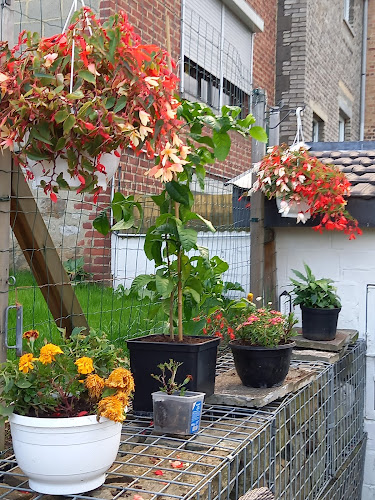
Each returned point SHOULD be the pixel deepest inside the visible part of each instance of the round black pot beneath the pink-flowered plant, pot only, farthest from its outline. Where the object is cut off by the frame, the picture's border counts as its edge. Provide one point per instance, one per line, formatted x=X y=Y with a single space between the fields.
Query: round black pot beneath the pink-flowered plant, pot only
x=261 y=367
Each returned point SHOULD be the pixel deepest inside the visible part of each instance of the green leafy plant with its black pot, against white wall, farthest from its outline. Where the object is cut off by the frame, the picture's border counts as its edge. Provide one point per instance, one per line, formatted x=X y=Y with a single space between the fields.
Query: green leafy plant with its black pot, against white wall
x=320 y=305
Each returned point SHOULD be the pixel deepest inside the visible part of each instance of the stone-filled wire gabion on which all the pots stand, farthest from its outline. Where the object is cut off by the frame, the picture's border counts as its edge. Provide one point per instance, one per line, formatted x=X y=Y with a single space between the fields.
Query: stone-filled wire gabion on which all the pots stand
x=293 y=446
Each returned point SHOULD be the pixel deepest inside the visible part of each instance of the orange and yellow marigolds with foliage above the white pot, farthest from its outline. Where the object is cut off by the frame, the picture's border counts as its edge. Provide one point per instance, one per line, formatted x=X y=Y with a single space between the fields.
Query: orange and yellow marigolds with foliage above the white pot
x=81 y=375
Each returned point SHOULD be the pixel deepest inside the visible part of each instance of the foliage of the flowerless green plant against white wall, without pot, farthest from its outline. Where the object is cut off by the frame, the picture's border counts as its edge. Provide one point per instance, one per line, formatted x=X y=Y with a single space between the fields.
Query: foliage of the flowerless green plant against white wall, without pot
x=312 y=292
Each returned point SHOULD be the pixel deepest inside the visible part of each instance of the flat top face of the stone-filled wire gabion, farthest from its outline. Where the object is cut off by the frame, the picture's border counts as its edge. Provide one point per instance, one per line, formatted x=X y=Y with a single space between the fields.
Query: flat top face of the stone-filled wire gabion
x=144 y=454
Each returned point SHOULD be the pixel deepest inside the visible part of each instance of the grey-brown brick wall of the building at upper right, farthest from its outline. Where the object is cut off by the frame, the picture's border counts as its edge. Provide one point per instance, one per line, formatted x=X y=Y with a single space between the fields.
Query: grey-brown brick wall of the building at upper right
x=319 y=65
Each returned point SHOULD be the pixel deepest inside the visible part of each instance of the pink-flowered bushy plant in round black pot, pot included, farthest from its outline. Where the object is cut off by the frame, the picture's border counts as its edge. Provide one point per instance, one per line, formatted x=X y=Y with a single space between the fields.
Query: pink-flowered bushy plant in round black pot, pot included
x=261 y=340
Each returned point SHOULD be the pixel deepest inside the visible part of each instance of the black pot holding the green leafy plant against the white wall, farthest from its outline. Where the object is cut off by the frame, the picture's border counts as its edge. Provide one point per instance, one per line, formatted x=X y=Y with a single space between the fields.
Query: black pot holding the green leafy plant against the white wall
x=319 y=324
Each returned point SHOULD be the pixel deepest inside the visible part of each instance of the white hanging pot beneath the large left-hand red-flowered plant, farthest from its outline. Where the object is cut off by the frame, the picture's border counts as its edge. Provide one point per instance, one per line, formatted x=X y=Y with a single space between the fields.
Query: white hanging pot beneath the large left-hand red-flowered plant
x=41 y=168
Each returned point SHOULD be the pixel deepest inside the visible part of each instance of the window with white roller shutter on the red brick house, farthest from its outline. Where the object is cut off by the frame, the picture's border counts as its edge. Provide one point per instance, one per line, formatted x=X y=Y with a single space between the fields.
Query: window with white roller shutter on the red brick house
x=217 y=55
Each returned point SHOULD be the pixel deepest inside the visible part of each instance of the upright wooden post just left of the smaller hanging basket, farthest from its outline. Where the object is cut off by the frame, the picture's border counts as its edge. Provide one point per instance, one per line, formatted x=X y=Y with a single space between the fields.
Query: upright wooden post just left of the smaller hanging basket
x=258 y=150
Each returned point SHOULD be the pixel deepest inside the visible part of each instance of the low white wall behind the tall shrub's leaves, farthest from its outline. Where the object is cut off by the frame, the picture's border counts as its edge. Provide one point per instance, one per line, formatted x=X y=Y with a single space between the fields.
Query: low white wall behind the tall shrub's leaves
x=129 y=260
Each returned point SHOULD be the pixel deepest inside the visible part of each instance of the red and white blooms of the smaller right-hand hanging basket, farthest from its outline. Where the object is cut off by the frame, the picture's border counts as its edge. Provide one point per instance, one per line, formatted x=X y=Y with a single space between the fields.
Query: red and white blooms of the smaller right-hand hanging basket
x=294 y=176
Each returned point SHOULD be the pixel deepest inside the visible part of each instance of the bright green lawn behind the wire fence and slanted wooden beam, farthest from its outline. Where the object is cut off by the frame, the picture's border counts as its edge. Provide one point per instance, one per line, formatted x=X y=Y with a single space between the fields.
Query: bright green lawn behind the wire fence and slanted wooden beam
x=120 y=316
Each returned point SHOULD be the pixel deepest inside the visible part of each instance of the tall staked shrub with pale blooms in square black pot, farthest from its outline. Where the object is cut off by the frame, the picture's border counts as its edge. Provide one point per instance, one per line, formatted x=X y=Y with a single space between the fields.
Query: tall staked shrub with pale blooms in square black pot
x=177 y=280
